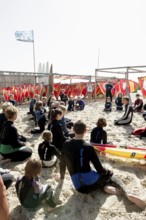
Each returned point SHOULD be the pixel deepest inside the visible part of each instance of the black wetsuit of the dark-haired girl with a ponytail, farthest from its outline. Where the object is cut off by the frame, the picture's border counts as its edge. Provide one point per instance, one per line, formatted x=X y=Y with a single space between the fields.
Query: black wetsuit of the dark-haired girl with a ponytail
x=58 y=137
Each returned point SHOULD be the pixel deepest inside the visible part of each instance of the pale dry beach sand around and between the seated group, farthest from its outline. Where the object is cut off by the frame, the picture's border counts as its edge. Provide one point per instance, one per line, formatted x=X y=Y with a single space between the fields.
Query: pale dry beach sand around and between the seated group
x=99 y=205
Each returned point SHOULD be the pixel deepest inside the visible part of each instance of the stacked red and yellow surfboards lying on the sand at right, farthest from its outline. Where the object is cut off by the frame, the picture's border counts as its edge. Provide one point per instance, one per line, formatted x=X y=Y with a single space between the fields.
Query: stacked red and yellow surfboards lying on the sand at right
x=127 y=152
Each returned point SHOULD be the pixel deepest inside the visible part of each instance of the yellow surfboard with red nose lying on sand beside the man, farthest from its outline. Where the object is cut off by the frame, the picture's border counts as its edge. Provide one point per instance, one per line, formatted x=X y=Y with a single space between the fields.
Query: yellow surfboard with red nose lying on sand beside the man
x=127 y=153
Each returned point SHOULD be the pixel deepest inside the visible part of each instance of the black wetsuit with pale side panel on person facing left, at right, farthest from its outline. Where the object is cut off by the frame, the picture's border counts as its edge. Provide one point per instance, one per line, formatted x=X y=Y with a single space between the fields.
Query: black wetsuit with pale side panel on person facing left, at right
x=127 y=117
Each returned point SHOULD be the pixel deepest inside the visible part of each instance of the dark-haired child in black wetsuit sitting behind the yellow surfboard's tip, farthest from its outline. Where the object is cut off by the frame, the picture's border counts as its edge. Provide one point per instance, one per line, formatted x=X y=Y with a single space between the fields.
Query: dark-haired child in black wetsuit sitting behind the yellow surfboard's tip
x=98 y=135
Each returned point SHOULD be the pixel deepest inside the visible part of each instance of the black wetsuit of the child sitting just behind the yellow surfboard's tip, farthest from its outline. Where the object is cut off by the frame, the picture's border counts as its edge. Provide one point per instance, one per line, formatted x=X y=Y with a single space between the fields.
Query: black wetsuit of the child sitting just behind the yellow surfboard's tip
x=99 y=136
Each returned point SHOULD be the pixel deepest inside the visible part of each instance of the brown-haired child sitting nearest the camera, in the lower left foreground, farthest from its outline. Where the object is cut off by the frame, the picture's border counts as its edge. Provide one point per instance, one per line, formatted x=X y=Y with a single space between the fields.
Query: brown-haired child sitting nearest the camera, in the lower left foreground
x=29 y=189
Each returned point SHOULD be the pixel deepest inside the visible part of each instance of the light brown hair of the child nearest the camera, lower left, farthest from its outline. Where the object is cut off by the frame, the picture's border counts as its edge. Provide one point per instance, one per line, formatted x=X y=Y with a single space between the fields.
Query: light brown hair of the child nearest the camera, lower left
x=33 y=168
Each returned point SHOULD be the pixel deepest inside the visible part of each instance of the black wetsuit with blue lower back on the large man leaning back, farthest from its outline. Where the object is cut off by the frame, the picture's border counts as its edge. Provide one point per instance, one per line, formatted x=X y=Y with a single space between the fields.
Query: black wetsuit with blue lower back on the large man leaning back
x=77 y=155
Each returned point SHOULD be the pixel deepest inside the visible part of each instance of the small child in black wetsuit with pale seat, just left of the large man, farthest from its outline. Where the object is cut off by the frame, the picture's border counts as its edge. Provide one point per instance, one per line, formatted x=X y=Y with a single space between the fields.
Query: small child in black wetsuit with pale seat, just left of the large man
x=47 y=152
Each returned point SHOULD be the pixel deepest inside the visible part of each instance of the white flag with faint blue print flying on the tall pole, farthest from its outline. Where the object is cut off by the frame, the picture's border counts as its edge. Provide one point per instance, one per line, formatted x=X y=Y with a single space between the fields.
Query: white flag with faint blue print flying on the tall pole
x=26 y=36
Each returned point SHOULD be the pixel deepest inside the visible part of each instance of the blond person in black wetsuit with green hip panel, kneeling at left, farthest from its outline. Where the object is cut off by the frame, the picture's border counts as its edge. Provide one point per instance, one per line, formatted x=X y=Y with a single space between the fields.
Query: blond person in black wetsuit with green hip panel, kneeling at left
x=12 y=147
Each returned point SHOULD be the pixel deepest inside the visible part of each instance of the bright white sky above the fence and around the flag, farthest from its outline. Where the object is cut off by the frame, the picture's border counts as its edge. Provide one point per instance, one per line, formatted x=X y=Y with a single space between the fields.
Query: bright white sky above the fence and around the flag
x=69 y=33
